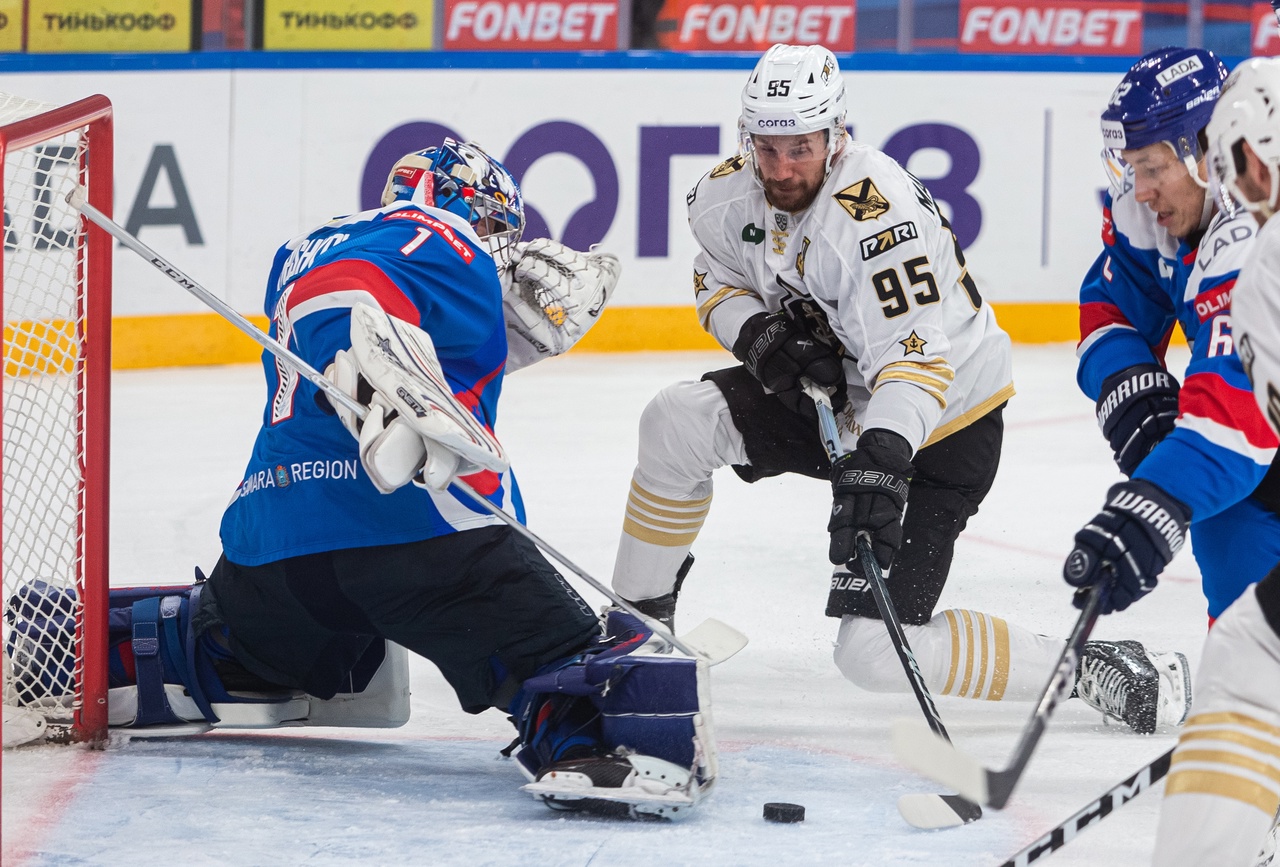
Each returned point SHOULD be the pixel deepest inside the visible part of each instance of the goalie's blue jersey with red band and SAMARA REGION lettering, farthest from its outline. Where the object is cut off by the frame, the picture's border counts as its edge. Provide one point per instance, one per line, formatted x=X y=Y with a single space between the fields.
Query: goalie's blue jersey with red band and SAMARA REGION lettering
x=305 y=490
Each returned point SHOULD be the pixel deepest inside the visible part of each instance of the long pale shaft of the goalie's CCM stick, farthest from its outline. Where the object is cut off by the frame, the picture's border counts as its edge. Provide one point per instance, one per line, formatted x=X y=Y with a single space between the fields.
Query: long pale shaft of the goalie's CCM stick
x=349 y=403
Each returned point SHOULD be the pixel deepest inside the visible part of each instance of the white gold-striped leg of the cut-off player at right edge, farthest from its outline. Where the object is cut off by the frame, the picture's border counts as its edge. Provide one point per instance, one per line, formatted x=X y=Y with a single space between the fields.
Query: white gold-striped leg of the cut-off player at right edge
x=1224 y=782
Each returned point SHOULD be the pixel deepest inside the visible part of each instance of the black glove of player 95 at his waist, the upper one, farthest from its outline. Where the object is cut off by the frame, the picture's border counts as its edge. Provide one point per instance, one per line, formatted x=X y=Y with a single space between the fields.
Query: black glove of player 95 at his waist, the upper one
x=779 y=353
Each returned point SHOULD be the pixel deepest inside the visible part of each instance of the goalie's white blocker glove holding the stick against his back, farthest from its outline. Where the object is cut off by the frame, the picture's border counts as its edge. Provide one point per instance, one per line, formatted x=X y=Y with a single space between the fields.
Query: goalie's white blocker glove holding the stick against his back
x=414 y=426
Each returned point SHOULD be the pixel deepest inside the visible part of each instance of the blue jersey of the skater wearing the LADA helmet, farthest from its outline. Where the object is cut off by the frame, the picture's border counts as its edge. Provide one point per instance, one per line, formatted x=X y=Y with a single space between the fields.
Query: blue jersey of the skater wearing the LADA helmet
x=1145 y=282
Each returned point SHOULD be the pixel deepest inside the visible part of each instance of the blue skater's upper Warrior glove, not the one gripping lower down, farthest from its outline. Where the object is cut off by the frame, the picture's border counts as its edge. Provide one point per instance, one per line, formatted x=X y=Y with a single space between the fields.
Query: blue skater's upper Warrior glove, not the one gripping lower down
x=1136 y=410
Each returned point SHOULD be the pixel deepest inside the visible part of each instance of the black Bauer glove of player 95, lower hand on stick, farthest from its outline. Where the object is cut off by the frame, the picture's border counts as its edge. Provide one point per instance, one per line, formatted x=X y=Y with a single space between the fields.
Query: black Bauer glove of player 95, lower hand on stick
x=868 y=490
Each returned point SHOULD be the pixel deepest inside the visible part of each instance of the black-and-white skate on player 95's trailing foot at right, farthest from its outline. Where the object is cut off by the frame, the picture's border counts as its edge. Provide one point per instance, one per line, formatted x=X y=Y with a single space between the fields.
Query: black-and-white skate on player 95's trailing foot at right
x=1141 y=688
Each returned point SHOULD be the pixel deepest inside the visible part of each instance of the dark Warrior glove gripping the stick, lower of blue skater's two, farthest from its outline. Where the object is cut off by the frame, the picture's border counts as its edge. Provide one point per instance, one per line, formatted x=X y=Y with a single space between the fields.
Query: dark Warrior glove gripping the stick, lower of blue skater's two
x=1128 y=544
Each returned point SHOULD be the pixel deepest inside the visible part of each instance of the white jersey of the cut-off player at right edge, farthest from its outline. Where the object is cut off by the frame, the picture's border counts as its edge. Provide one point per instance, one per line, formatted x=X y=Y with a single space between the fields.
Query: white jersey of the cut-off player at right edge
x=1256 y=321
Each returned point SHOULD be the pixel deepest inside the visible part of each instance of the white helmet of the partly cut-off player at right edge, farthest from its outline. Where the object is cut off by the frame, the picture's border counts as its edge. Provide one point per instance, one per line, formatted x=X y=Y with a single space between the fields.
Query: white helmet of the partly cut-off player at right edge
x=1249 y=111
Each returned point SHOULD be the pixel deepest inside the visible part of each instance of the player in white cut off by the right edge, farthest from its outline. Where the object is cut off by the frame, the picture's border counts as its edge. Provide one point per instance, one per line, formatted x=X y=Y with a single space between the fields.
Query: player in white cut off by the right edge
x=1224 y=783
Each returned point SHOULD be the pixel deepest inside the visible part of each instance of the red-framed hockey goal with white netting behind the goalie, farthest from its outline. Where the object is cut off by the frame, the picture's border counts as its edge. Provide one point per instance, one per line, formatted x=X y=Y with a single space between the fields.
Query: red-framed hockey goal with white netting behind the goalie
x=57 y=281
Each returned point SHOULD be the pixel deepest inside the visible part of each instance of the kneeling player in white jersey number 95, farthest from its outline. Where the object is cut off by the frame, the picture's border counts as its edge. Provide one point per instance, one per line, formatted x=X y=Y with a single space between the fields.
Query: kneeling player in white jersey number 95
x=824 y=259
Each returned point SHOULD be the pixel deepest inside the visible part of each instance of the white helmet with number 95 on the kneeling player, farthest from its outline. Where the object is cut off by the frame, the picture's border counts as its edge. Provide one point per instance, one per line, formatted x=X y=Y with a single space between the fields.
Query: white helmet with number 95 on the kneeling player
x=794 y=90
